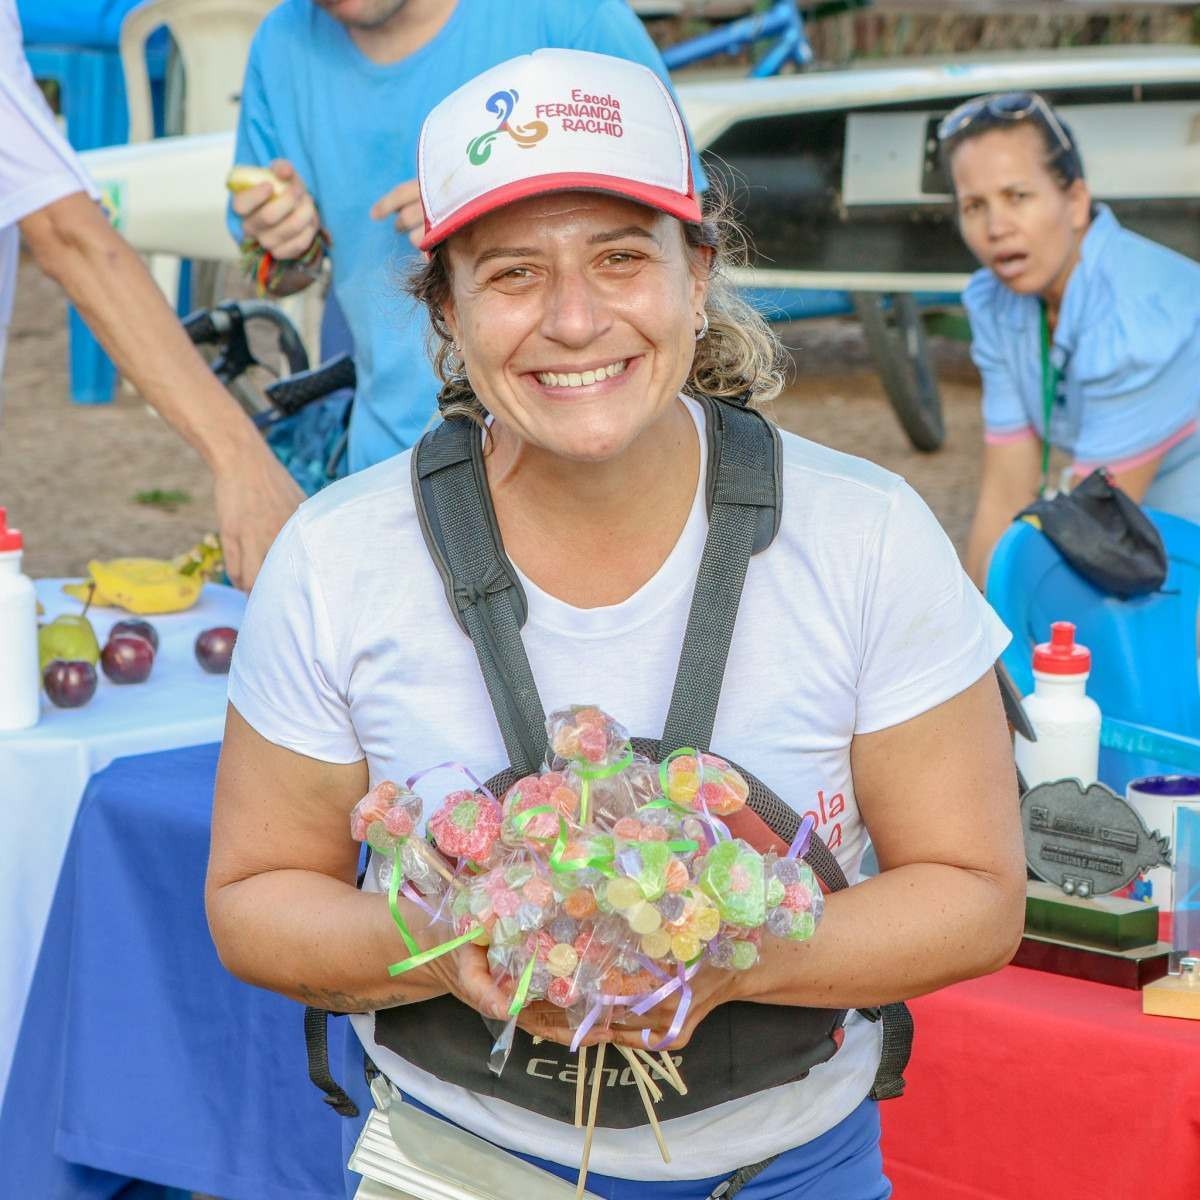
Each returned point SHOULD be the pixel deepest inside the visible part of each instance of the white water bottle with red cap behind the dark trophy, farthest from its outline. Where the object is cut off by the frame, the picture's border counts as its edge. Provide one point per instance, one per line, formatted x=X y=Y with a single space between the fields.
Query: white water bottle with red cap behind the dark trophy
x=1066 y=721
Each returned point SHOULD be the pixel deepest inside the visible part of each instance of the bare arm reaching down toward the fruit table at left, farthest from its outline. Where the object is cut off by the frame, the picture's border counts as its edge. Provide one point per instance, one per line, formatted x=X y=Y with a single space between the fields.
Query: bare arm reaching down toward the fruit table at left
x=105 y=279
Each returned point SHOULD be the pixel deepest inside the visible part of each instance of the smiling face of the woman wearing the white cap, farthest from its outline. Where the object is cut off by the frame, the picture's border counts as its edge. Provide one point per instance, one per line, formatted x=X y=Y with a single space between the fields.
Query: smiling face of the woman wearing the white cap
x=578 y=316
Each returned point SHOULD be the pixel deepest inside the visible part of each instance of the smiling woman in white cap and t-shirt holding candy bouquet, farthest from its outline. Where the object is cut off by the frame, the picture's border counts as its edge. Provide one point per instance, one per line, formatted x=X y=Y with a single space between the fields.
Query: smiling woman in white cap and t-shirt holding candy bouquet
x=595 y=364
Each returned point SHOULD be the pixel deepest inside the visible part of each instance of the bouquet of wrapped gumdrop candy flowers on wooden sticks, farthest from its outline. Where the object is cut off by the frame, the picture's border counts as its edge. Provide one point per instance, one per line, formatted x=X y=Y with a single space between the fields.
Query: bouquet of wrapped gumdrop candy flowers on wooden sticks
x=601 y=885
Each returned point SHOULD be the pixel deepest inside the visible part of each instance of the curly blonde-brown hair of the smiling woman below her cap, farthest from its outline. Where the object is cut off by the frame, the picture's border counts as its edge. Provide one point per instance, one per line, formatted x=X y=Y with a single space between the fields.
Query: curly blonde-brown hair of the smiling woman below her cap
x=740 y=358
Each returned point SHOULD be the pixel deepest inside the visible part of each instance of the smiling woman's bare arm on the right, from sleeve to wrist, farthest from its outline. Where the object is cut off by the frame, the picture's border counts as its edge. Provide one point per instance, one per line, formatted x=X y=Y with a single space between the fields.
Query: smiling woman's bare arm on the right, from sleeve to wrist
x=939 y=796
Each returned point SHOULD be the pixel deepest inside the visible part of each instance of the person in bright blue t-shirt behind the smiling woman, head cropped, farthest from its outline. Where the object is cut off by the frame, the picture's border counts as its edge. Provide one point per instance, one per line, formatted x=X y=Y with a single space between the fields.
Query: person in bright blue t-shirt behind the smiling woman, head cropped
x=334 y=100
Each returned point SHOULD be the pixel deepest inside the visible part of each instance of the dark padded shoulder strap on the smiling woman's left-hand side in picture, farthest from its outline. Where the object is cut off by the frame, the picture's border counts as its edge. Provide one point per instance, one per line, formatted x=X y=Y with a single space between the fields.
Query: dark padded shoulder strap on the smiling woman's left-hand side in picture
x=459 y=523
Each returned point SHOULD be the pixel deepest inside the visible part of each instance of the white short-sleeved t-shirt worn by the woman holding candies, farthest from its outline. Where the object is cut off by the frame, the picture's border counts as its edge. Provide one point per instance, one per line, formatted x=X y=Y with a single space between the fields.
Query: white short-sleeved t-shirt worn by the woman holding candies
x=857 y=617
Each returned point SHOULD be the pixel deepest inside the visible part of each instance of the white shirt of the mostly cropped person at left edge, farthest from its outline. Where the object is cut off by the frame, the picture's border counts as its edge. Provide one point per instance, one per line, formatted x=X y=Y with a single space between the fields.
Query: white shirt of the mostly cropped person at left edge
x=38 y=166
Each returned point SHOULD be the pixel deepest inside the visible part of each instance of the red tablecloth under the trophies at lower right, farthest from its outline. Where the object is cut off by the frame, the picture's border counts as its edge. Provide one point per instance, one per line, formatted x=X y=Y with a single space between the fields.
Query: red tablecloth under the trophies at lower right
x=1033 y=1087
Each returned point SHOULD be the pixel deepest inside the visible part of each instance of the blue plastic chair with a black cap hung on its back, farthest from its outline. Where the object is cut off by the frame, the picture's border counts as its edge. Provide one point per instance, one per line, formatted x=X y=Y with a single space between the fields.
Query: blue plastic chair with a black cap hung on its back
x=1144 y=651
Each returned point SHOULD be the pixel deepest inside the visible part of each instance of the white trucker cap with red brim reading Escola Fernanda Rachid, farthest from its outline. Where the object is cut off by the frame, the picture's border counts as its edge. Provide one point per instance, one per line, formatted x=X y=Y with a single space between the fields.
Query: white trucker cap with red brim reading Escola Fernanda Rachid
x=554 y=122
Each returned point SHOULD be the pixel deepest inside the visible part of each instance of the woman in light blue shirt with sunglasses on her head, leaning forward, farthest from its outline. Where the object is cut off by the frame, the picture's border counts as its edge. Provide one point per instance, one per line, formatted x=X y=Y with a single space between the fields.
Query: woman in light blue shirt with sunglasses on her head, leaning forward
x=1085 y=334
